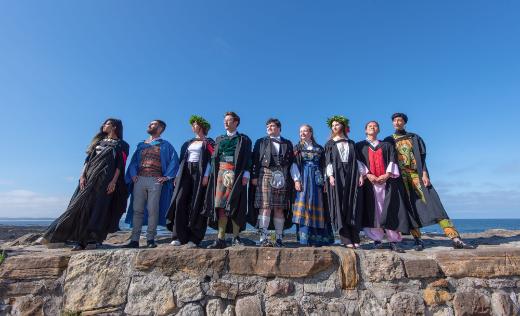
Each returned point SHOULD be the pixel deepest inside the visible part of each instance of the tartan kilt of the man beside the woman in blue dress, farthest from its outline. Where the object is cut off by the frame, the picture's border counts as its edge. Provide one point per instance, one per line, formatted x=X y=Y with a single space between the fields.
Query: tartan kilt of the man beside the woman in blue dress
x=267 y=197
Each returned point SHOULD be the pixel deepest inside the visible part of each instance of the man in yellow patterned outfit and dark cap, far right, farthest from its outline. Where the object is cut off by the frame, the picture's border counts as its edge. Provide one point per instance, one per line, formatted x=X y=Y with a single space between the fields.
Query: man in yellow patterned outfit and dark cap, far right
x=425 y=204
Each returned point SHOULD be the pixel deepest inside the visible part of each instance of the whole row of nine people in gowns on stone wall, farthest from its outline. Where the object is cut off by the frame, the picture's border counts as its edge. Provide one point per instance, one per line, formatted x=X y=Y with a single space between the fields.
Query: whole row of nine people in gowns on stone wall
x=381 y=187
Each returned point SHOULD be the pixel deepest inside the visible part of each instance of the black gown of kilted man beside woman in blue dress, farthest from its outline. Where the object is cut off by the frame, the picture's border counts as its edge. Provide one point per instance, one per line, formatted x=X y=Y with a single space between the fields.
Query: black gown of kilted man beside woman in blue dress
x=262 y=157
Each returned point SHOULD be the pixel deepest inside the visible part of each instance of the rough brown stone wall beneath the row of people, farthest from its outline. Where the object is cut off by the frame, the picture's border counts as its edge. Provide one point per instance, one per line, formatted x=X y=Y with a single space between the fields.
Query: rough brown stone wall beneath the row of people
x=257 y=281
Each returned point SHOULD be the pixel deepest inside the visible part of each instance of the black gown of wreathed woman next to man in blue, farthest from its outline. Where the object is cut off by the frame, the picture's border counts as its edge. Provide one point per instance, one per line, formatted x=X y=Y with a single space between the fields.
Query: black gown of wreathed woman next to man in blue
x=186 y=207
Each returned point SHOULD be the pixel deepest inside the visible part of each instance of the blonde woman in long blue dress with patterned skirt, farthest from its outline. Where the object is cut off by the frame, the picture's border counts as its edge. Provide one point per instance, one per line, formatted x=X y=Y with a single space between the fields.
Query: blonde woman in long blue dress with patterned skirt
x=310 y=214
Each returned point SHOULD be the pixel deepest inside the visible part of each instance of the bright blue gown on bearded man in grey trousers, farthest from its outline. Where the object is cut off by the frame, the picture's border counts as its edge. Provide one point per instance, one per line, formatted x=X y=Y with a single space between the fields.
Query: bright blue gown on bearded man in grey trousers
x=169 y=166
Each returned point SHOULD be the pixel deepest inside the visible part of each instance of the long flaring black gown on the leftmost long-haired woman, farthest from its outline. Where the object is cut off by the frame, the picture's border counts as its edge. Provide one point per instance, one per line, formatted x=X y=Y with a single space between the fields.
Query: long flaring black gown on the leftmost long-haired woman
x=92 y=213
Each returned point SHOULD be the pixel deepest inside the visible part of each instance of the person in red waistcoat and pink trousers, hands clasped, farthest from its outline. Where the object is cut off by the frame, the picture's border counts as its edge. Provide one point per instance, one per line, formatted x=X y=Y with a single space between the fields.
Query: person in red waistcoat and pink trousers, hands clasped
x=385 y=209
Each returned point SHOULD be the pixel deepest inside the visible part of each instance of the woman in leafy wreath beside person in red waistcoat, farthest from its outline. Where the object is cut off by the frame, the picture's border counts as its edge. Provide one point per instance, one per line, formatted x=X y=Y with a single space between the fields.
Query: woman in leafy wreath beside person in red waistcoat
x=343 y=193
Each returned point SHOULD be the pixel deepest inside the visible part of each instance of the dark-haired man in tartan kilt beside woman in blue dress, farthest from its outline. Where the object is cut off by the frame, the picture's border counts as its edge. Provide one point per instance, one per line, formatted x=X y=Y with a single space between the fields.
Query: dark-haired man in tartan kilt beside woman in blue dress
x=272 y=184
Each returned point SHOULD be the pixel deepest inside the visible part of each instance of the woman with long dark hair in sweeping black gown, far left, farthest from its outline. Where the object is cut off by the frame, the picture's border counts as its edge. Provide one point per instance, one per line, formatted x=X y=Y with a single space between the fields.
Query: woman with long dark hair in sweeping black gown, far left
x=100 y=198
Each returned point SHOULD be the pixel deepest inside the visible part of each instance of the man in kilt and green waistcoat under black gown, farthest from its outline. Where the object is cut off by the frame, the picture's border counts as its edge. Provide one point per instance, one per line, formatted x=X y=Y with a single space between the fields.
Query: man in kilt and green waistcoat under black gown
x=226 y=196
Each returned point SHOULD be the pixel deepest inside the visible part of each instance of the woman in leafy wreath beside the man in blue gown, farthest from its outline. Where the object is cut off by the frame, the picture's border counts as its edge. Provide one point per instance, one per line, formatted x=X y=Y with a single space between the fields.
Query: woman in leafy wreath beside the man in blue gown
x=184 y=216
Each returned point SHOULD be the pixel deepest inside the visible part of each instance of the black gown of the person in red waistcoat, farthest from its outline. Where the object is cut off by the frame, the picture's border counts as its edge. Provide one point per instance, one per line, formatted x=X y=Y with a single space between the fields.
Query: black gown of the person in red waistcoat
x=395 y=215
